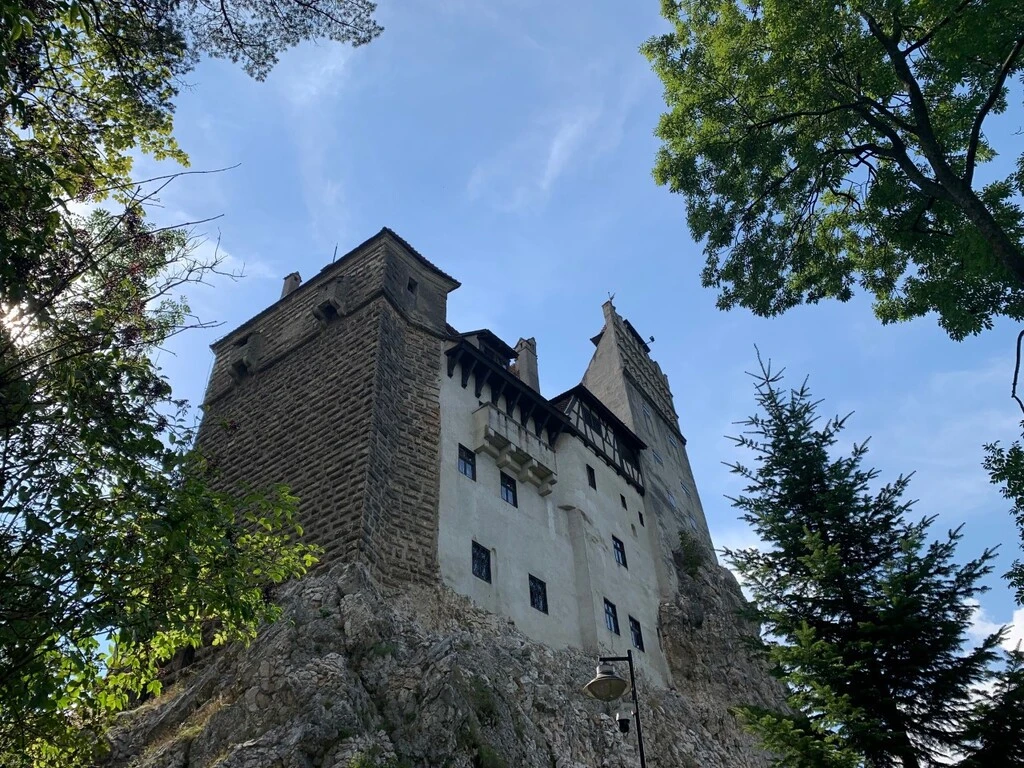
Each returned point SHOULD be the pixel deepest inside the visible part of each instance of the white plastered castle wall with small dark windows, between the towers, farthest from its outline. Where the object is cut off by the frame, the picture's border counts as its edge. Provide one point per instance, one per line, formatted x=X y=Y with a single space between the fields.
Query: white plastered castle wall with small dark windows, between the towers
x=564 y=539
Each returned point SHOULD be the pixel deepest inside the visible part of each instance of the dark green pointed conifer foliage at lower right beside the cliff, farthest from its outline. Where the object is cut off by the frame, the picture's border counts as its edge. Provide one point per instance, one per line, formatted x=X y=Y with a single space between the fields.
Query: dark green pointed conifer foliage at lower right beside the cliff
x=866 y=617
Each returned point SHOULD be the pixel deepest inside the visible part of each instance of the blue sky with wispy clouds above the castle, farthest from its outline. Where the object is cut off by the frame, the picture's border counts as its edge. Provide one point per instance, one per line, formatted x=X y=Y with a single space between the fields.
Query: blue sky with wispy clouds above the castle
x=511 y=143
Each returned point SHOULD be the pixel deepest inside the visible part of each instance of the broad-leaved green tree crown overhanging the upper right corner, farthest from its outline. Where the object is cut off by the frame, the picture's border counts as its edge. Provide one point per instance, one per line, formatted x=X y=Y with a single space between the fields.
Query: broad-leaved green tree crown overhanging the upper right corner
x=828 y=147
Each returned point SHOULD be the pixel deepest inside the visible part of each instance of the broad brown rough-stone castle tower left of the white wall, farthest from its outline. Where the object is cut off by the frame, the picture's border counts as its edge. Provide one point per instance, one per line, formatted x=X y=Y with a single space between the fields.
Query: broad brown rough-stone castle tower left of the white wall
x=334 y=391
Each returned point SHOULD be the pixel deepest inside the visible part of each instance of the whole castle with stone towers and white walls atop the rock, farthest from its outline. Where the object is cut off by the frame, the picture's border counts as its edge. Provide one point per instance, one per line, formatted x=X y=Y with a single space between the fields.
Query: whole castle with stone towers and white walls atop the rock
x=431 y=454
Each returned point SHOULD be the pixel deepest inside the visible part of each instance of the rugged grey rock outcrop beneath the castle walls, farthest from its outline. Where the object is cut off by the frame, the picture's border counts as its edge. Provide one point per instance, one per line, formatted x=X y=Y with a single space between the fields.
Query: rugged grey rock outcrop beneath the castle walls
x=352 y=677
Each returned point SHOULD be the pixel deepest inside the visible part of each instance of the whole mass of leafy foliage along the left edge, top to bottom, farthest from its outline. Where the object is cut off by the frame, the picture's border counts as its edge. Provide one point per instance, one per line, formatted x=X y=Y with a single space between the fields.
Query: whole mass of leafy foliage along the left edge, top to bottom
x=115 y=550
